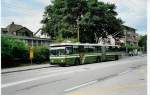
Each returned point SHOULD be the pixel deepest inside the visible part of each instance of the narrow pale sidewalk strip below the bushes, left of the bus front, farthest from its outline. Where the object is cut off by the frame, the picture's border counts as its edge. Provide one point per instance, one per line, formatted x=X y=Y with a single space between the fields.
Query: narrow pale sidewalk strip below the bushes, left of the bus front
x=24 y=68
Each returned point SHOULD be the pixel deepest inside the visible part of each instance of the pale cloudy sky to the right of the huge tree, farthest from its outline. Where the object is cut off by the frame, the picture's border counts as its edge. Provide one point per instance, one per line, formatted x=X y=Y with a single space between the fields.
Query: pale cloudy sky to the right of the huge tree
x=132 y=12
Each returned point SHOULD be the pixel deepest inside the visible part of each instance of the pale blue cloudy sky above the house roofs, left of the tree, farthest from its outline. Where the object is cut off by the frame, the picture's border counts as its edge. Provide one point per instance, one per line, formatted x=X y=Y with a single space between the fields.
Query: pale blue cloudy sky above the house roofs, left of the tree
x=25 y=15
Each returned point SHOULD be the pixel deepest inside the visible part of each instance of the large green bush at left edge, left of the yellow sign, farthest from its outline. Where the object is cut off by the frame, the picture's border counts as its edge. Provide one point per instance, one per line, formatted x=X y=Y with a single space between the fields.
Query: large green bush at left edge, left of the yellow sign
x=12 y=51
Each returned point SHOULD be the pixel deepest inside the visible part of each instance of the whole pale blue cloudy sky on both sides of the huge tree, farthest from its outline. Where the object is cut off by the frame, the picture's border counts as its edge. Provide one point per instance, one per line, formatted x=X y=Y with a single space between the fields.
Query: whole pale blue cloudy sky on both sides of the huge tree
x=29 y=13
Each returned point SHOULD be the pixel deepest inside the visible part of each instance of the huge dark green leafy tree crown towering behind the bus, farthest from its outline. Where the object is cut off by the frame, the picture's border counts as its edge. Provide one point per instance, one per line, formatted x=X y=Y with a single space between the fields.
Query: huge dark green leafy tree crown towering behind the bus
x=93 y=19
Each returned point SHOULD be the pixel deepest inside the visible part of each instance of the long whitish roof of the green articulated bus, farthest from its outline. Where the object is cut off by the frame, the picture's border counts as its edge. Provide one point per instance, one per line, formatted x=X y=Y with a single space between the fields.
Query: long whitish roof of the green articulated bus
x=77 y=44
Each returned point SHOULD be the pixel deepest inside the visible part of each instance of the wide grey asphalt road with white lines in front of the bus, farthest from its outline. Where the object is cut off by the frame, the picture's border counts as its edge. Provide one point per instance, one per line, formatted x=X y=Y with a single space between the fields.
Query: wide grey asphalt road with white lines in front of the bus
x=92 y=79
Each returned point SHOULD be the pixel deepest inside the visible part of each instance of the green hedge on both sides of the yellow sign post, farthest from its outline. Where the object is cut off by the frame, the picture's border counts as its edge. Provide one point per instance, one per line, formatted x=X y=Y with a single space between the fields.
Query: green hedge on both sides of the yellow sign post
x=15 y=52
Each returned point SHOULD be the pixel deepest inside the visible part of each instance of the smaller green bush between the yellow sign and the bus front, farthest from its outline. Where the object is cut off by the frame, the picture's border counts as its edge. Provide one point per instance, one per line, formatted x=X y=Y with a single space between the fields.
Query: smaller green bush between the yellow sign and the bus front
x=41 y=54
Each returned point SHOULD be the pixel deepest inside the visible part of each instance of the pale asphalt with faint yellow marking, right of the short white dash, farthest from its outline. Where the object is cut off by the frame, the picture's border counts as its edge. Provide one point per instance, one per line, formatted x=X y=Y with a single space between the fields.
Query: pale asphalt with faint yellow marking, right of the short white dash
x=130 y=82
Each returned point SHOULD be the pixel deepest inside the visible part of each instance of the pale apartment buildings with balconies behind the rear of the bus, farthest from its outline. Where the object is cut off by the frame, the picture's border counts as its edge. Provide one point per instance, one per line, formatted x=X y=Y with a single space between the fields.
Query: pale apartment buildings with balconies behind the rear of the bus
x=130 y=38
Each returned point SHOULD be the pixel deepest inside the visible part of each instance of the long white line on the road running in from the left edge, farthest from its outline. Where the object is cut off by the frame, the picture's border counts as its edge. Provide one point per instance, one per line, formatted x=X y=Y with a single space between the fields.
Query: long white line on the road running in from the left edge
x=38 y=78
